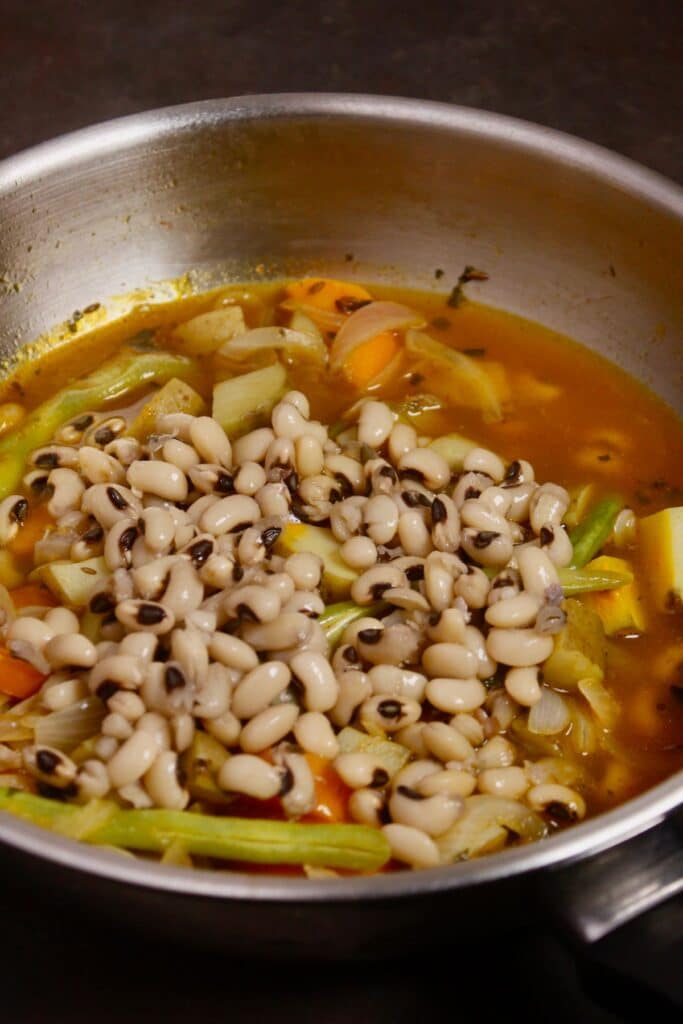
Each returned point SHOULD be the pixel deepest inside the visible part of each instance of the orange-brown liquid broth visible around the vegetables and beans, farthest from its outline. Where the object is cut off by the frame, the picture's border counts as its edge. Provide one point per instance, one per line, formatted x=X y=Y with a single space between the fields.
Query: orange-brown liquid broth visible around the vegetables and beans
x=578 y=419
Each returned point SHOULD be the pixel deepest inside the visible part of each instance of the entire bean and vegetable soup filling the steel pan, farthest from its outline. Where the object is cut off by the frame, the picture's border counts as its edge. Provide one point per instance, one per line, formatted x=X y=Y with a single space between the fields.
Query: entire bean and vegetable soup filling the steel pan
x=334 y=579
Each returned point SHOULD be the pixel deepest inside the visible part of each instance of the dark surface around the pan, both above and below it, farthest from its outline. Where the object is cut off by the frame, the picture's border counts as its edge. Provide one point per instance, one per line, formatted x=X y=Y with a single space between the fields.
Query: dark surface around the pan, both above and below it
x=610 y=73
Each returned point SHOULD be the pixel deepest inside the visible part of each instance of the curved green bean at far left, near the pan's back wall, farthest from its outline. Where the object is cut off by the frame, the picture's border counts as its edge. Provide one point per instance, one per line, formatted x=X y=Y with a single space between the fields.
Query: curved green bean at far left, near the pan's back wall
x=114 y=379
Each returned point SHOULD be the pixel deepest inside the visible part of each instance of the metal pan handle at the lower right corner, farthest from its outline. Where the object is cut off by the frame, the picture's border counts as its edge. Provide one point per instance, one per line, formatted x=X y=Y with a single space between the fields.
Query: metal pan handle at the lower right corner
x=595 y=898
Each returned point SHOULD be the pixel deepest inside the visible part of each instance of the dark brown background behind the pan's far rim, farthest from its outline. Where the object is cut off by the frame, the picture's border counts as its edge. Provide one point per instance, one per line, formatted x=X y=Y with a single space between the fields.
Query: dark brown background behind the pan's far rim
x=608 y=71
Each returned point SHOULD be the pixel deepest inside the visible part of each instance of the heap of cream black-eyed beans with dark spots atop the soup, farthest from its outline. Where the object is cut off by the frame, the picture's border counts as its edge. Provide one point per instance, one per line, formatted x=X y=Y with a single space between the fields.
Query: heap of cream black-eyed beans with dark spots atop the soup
x=204 y=626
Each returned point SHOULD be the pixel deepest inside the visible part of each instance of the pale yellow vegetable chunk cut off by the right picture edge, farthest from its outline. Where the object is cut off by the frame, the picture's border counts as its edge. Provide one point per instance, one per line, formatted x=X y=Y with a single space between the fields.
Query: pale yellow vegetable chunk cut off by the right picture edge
x=661 y=539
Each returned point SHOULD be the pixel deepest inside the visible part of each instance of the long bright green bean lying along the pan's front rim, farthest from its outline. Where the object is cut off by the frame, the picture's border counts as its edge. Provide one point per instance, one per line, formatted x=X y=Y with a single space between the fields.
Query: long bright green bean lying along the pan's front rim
x=249 y=840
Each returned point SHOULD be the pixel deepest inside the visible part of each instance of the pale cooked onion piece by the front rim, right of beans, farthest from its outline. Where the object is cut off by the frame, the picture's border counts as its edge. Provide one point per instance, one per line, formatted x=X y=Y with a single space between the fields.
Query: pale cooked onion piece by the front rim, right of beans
x=486 y=826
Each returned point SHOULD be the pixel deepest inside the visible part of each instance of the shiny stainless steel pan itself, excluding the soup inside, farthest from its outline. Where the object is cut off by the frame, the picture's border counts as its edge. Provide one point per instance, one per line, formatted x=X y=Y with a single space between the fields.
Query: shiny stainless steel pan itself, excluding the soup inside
x=571 y=235
